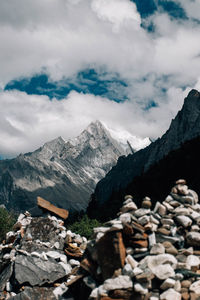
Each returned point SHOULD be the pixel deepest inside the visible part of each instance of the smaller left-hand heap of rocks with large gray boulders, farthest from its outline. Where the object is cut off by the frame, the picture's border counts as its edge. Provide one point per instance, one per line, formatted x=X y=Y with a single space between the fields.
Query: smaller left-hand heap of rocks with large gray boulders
x=39 y=259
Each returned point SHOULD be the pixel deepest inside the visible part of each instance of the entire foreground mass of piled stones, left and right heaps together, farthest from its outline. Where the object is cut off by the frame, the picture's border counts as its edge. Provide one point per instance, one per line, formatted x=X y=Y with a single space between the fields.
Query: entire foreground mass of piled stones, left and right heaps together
x=143 y=254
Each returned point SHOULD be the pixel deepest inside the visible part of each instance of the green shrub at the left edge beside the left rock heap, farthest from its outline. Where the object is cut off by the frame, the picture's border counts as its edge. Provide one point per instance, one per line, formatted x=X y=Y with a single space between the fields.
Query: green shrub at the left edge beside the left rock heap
x=7 y=221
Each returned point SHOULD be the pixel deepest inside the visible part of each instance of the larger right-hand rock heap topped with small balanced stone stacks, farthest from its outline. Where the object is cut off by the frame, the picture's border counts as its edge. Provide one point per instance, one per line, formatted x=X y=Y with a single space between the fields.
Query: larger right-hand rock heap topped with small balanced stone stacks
x=148 y=254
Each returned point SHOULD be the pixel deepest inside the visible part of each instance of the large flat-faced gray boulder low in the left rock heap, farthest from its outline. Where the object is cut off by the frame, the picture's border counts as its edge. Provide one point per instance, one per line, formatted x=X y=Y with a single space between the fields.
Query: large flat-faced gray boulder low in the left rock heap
x=36 y=271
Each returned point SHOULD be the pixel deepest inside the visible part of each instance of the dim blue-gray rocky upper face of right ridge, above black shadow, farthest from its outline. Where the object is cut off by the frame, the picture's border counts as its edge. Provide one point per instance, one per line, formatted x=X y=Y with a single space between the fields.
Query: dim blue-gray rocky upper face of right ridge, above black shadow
x=184 y=127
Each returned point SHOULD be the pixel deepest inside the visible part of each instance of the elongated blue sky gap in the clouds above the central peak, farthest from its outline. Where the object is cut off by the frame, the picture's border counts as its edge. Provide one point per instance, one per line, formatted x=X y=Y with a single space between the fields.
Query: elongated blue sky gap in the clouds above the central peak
x=87 y=81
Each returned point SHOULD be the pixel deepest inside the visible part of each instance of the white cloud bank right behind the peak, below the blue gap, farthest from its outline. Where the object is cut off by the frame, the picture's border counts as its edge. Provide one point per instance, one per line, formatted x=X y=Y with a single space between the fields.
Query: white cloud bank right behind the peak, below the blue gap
x=28 y=121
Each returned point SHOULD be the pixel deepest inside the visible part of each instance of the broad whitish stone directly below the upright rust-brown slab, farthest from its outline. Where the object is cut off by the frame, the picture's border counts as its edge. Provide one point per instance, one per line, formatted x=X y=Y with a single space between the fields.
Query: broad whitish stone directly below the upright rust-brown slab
x=120 y=282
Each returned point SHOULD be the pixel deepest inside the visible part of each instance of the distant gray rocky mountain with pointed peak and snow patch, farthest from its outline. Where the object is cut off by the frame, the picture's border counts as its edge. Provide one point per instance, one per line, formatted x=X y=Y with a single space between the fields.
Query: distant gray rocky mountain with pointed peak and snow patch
x=63 y=172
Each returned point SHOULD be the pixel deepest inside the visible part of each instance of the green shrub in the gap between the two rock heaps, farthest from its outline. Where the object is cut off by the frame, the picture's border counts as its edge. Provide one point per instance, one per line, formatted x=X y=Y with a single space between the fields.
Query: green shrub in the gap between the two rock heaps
x=84 y=226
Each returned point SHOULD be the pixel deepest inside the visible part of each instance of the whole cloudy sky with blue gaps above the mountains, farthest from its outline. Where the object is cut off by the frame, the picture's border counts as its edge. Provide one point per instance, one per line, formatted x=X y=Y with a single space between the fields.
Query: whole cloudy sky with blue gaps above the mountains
x=66 y=63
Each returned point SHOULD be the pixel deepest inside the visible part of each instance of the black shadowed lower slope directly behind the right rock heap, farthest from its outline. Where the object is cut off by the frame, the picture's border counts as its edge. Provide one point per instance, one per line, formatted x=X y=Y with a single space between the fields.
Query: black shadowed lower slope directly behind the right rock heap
x=156 y=181
